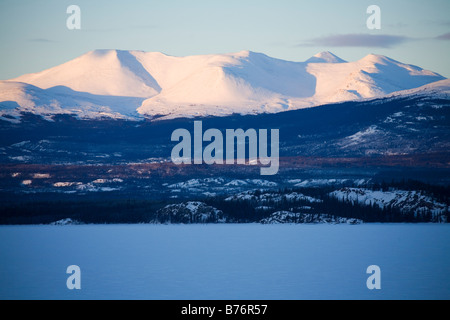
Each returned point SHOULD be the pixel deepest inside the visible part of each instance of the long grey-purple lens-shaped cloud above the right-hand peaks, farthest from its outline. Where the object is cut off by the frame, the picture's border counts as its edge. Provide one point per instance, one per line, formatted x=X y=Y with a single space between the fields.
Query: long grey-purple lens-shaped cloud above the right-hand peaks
x=357 y=40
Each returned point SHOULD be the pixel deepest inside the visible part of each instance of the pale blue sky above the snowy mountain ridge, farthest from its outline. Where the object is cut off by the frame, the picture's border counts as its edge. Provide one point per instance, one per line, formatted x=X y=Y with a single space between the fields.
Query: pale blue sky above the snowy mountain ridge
x=34 y=34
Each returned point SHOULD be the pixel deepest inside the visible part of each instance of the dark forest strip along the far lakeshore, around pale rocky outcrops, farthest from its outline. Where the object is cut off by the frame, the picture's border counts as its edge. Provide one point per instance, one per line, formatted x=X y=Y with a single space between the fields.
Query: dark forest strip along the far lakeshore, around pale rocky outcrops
x=99 y=211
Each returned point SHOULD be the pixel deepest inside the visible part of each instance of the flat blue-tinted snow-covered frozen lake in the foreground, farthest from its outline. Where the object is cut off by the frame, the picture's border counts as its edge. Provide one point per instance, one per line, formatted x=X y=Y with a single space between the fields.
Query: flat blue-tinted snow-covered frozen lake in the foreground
x=225 y=261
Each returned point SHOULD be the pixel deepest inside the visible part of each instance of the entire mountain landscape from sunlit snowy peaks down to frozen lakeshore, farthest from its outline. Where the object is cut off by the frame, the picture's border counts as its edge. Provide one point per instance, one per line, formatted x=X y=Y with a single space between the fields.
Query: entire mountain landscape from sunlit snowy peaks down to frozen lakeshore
x=346 y=128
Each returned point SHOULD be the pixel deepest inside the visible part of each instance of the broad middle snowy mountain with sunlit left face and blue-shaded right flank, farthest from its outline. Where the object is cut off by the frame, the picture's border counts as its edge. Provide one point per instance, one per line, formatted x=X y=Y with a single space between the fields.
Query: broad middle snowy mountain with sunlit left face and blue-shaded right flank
x=245 y=82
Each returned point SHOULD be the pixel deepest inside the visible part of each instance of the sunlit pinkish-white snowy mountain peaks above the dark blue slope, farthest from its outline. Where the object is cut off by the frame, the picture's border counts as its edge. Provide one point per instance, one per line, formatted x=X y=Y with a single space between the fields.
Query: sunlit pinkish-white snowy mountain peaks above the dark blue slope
x=117 y=83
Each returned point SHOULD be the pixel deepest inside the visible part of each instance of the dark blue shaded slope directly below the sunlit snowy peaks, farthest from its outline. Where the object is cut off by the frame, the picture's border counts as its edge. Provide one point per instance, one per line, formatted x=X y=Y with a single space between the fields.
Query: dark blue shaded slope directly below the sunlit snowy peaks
x=388 y=127
